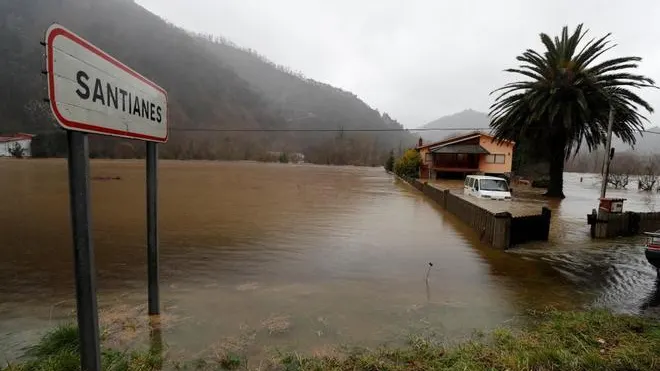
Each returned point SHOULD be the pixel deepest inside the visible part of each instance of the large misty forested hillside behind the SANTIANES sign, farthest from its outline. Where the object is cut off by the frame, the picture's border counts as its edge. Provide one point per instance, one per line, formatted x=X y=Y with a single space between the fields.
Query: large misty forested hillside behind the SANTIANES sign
x=211 y=83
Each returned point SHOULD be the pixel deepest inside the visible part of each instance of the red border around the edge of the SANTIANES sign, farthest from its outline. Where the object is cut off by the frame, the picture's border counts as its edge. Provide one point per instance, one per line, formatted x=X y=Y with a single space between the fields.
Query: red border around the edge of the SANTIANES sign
x=57 y=30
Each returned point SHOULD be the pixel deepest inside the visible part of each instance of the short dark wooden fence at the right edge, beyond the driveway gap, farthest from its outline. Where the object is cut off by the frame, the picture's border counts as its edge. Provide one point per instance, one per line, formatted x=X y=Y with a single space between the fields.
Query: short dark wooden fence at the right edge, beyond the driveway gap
x=608 y=225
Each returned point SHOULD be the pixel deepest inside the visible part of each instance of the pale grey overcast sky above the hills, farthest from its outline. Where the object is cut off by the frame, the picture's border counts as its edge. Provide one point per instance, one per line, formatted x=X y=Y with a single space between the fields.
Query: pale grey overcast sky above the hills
x=416 y=59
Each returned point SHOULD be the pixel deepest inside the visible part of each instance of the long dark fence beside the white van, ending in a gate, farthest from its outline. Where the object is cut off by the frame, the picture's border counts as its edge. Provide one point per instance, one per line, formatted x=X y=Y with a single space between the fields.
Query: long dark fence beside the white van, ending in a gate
x=492 y=228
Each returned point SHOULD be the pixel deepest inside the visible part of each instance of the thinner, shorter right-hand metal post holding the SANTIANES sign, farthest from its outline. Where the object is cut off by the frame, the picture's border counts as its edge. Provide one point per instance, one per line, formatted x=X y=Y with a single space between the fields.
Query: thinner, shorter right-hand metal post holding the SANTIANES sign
x=152 y=226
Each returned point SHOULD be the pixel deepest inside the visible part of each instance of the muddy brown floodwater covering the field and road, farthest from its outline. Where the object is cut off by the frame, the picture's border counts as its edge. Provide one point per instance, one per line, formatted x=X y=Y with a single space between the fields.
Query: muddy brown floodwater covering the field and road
x=257 y=257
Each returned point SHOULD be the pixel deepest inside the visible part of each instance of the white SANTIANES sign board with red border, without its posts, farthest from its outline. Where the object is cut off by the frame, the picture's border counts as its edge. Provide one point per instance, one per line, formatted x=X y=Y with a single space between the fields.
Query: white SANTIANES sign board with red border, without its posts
x=93 y=92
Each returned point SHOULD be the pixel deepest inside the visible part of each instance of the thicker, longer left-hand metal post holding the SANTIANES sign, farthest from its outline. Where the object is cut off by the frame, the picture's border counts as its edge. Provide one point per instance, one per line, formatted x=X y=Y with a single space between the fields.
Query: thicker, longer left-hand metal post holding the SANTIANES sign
x=83 y=251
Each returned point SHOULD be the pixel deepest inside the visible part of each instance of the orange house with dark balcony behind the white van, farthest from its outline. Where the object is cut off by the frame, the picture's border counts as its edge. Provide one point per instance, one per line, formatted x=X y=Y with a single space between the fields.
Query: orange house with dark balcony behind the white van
x=473 y=153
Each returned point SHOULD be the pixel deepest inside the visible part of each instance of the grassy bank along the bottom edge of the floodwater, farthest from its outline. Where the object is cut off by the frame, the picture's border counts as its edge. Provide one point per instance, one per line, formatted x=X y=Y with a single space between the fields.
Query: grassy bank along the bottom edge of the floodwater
x=552 y=340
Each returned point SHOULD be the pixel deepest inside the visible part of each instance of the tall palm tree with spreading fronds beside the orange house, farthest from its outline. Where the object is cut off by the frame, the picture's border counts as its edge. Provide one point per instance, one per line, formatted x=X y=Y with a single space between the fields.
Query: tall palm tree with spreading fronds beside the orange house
x=565 y=100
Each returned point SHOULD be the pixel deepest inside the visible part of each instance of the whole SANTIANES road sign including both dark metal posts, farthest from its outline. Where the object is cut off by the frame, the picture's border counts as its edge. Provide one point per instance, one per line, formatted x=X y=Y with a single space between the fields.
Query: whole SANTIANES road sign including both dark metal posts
x=90 y=91
